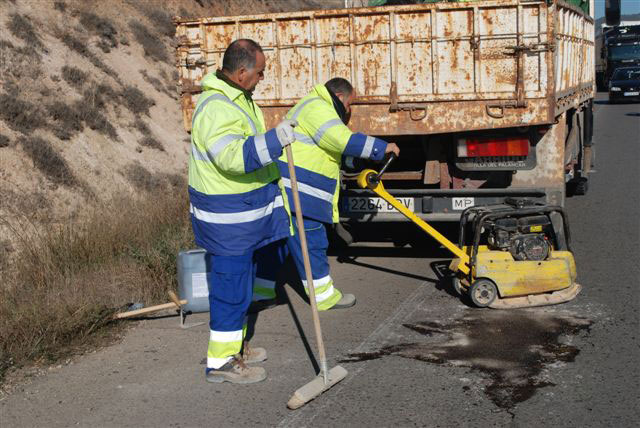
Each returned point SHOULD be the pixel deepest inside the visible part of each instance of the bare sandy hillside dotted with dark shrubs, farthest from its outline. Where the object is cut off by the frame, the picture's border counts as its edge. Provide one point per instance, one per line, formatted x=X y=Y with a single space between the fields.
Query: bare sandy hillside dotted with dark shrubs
x=88 y=102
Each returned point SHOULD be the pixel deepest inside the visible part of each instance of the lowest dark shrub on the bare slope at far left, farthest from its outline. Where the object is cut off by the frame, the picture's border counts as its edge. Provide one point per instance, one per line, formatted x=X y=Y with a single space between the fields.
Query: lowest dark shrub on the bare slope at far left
x=48 y=161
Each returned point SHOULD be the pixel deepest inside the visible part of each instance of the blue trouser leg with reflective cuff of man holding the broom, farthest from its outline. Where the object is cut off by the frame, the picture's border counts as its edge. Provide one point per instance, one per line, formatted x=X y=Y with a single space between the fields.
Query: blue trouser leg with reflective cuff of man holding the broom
x=230 y=280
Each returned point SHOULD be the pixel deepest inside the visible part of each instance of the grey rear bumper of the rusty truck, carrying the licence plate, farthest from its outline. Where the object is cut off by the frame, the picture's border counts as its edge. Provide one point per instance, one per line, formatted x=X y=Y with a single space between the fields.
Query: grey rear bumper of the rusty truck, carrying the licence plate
x=435 y=204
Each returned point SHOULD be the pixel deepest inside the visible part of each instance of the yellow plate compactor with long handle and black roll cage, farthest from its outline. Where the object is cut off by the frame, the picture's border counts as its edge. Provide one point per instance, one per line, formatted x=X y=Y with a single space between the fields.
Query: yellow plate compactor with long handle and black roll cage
x=511 y=255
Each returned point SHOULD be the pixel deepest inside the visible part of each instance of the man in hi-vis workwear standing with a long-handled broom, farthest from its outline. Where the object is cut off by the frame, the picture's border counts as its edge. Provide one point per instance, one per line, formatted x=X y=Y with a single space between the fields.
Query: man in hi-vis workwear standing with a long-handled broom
x=237 y=205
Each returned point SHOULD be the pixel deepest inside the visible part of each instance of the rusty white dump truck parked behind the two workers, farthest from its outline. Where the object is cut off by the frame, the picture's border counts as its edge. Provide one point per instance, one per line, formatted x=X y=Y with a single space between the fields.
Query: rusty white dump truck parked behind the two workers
x=488 y=99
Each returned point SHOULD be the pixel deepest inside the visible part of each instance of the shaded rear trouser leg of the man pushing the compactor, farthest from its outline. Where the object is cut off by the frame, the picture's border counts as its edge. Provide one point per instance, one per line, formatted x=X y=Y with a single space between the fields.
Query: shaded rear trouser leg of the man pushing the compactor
x=269 y=259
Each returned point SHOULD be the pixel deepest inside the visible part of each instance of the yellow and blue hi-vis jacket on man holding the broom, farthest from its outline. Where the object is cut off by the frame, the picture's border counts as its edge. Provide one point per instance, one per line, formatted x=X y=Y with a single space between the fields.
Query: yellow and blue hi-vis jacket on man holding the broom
x=237 y=204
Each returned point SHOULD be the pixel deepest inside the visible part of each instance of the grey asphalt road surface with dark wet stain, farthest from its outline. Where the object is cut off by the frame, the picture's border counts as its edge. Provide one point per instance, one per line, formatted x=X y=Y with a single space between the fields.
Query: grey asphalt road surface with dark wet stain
x=416 y=354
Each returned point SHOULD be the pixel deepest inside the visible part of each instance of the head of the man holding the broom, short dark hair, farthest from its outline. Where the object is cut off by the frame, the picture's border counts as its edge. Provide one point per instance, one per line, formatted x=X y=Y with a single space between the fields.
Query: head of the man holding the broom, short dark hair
x=244 y=63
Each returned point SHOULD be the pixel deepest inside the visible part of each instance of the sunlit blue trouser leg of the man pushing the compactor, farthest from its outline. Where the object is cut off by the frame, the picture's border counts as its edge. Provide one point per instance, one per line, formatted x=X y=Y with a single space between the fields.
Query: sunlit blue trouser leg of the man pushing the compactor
x=326 y=294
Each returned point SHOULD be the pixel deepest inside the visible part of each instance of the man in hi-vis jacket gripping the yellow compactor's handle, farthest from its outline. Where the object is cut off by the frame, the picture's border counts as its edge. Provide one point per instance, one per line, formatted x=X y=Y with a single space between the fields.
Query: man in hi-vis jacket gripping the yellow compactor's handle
x=322 y=139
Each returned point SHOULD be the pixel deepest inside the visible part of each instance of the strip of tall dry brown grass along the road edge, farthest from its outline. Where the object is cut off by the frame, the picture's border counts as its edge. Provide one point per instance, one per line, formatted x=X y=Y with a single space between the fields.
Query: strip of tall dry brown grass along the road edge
x=73 y=277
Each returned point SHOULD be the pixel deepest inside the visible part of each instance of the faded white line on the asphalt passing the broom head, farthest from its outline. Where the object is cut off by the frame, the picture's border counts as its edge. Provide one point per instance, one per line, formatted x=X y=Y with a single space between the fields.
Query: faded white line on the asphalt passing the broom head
x=380 y=336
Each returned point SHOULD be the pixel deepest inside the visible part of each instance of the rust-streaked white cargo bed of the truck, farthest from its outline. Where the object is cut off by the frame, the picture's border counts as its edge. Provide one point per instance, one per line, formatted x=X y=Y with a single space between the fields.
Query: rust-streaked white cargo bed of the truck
x=417 y=69
